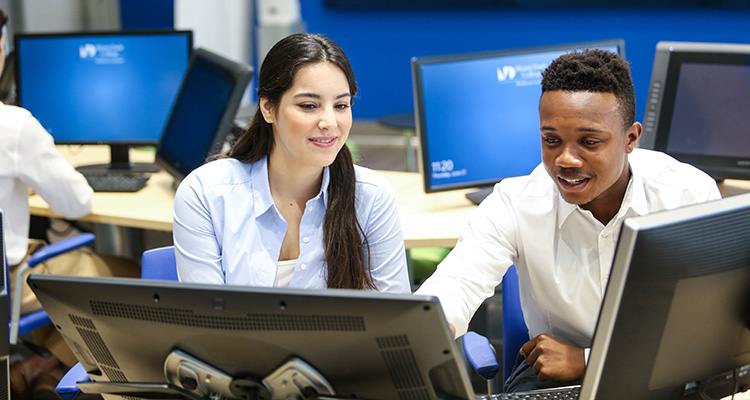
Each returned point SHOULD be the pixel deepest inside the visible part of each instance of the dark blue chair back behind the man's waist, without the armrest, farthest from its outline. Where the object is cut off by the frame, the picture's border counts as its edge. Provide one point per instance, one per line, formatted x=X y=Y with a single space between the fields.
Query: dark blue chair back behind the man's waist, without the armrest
x=515 y=332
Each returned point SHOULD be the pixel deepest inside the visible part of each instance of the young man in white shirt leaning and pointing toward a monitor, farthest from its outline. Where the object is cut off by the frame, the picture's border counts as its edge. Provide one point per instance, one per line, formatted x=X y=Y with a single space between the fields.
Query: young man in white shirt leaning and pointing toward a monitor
x=560 y=224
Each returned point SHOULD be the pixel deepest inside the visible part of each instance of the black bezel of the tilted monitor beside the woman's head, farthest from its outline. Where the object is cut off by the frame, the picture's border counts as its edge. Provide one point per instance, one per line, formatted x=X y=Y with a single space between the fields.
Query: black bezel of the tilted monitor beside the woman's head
x=240 y=74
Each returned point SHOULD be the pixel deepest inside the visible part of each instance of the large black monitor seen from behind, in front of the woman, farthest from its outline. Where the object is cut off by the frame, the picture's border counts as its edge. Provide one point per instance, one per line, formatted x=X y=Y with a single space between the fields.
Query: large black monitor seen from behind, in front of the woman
x=133 y=335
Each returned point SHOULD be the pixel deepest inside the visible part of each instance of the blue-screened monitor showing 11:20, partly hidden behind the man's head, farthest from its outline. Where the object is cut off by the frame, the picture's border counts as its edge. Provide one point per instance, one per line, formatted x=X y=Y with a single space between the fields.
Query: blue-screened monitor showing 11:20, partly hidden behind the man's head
x=477 y=115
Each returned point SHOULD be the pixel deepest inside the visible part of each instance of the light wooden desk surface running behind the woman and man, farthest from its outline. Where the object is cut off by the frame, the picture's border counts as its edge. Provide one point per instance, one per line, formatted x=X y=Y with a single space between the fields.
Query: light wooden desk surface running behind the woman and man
x=428 y=220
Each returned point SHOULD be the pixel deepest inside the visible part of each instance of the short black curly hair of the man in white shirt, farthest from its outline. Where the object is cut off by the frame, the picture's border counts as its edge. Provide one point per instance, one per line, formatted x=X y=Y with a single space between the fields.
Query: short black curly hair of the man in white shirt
x=594 y=71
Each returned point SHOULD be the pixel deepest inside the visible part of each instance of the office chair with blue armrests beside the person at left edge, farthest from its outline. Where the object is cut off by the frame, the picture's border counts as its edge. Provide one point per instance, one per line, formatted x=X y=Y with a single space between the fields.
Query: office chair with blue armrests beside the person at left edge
x=20 y=325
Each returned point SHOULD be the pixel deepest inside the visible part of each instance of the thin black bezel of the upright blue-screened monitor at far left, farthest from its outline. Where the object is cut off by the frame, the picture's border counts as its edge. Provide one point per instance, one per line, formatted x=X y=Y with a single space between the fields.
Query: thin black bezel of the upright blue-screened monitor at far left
x=118 y=147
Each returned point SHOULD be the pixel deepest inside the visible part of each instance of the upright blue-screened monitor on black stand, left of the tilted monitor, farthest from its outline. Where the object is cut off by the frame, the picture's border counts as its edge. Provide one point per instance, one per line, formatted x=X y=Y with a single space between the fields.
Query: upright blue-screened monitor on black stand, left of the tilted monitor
x=113 y=88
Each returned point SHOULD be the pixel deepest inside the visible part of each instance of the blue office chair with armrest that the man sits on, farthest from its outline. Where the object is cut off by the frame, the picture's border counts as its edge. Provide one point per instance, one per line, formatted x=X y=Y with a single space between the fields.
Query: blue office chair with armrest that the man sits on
x=479 y=351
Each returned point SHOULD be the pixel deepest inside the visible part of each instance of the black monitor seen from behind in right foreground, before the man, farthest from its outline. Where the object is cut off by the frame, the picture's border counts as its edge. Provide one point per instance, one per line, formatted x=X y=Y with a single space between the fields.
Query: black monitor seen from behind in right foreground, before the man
x=676 y=313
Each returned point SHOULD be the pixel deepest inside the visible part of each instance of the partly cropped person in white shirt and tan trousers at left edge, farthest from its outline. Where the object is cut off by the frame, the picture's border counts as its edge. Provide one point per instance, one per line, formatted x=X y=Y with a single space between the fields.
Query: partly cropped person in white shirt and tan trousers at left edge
x=30 y=162
